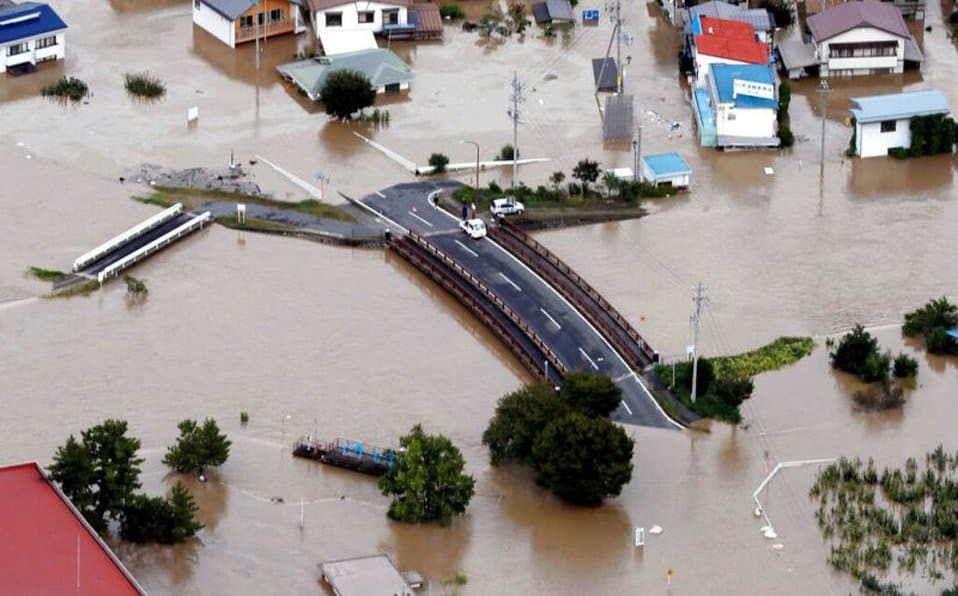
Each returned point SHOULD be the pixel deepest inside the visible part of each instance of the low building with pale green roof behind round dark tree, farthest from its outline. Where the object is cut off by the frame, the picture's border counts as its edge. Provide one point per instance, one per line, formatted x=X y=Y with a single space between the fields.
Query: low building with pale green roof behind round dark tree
x=384 y=69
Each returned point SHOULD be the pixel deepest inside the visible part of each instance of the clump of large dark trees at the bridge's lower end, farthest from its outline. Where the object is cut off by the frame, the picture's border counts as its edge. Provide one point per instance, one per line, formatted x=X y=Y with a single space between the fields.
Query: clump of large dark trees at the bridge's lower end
x=564 y=435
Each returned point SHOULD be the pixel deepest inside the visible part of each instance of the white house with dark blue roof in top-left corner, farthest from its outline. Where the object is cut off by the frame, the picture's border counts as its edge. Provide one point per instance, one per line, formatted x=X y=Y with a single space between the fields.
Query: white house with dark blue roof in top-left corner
x=30 y=33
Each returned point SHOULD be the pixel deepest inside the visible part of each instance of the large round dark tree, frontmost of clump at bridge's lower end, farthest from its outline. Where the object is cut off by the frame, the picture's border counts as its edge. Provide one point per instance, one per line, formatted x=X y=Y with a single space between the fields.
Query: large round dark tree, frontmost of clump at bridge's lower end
x=583 y=460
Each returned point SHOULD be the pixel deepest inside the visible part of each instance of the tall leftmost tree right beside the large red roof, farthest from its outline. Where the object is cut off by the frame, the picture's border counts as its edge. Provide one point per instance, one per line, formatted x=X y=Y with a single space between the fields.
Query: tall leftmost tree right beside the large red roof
x=105 y=460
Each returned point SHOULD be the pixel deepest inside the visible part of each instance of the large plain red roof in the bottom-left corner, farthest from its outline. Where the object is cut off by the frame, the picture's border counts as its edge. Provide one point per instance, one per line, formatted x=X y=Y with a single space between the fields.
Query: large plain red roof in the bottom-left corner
x=46 y=547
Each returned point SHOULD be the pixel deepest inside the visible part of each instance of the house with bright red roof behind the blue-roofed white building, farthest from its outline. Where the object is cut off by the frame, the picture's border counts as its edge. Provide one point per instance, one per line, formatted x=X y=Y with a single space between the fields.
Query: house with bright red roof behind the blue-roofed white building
x=724 y=41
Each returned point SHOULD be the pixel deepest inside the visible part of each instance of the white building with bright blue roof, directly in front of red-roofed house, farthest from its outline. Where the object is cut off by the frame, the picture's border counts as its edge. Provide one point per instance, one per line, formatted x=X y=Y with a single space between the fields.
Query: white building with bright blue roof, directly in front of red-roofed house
x=739 y=108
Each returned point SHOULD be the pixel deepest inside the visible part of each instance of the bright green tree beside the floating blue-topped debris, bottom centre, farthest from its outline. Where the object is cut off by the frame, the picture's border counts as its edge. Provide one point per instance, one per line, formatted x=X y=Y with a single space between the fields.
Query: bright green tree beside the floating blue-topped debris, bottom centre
x=427 y=482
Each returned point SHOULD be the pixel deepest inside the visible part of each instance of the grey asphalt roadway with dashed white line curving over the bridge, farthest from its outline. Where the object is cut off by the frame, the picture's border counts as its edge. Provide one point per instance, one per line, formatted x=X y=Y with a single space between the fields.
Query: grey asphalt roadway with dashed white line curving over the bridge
x=578 y=344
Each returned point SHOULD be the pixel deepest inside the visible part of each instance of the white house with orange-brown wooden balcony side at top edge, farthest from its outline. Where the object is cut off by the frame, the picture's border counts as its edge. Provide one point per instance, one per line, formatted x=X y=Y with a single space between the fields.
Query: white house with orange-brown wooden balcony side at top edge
x=239 y=21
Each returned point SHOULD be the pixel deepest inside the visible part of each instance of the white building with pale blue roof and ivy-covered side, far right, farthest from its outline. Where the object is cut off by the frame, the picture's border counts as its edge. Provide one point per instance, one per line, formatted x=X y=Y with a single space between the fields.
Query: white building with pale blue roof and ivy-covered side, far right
x=883 y=122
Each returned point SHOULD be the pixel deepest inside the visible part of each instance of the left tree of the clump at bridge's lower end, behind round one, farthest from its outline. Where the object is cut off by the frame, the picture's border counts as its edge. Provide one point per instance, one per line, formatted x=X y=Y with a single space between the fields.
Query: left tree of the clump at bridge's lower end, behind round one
x=519 y=417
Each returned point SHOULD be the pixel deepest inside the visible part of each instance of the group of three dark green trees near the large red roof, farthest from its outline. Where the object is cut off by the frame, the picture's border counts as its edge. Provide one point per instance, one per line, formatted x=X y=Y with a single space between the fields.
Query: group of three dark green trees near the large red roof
x=100 y=474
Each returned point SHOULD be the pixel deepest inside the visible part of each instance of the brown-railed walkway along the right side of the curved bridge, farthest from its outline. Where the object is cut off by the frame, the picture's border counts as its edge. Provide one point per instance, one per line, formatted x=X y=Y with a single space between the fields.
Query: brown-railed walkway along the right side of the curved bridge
x=512 y=235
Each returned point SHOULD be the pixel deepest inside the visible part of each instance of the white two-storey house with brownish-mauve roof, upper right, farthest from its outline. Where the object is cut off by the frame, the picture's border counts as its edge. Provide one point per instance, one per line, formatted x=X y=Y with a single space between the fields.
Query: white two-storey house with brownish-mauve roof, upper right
x=862 y=37
